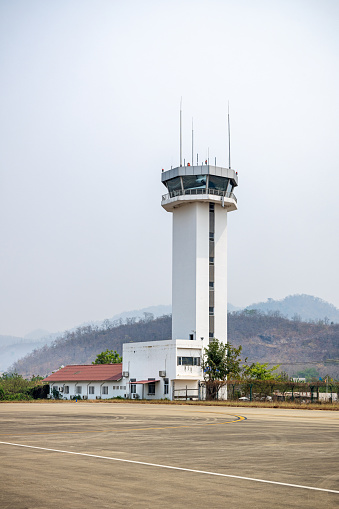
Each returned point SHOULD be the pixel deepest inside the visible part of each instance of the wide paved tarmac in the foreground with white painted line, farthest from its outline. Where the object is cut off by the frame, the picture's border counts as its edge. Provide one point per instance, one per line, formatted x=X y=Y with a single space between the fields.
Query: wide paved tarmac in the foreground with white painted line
x=294 y=447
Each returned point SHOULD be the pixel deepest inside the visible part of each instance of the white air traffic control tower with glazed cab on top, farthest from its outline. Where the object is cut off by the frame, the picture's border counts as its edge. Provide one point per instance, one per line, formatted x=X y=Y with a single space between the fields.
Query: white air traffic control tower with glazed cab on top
x=199 y=198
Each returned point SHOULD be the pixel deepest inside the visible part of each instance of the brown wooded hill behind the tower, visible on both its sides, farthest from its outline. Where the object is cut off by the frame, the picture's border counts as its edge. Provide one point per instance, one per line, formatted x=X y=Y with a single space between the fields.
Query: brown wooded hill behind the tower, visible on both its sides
x=291 y=343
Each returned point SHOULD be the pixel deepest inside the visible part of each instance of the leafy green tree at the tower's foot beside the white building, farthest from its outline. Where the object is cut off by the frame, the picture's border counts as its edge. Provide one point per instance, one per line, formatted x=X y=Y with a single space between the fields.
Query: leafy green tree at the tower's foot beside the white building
x=219 y=361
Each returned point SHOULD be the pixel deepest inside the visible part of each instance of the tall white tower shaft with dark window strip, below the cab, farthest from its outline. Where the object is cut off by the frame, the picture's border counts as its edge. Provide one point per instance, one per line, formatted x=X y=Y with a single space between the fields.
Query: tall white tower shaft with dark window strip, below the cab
x=199 y=277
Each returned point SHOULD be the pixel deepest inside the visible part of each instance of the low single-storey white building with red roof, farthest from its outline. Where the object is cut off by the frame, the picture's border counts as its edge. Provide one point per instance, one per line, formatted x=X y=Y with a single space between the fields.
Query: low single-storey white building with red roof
x=94 y=381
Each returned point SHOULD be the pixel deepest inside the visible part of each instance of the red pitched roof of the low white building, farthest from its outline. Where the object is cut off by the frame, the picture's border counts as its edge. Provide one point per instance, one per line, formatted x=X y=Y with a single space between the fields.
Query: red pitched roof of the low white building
x=89 y=373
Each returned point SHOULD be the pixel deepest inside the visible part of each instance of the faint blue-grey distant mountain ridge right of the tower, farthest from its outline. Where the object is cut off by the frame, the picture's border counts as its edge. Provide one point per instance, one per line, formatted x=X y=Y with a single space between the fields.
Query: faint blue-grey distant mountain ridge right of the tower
x=300 y=307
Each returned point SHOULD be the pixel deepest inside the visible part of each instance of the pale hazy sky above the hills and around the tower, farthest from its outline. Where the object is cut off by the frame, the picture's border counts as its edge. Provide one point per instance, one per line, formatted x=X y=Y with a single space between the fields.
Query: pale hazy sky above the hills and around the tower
x=89 y=97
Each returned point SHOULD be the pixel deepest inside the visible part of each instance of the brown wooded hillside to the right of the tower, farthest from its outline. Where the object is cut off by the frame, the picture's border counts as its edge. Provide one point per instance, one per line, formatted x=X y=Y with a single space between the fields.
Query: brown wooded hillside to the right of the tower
x=293 y=344
